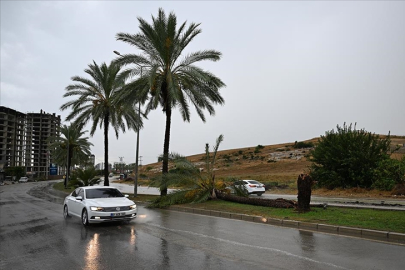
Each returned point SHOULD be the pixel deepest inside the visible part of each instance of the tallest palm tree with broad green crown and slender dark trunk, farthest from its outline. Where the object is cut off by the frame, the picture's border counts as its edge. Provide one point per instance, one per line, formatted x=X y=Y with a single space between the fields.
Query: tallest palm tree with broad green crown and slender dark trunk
x=168 y=81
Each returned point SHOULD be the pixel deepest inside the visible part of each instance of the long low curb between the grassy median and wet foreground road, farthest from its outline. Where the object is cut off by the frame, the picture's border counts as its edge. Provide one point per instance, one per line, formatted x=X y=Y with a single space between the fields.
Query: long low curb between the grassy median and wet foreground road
x=383 y=236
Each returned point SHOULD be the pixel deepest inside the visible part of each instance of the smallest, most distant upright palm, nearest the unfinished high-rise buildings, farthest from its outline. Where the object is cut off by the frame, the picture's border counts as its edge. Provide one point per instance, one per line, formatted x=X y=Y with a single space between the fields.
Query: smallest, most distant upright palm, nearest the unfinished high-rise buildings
x=71 y=148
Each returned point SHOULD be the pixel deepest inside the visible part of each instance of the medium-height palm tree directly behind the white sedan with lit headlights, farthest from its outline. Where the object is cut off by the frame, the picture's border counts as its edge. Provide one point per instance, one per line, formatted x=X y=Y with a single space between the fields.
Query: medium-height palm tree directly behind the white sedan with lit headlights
x=100 y=100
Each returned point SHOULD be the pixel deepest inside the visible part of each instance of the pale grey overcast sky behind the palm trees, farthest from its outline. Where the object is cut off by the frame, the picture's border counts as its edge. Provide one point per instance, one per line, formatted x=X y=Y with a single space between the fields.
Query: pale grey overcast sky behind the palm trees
x=293 y=70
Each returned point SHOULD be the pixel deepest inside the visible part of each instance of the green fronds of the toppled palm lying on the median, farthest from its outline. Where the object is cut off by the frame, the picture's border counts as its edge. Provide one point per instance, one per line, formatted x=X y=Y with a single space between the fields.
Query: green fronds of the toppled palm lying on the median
x=196 y=186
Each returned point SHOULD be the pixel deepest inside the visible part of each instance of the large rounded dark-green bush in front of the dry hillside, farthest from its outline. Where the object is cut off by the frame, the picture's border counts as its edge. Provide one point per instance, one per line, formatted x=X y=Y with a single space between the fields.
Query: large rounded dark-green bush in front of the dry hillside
x=348 y=157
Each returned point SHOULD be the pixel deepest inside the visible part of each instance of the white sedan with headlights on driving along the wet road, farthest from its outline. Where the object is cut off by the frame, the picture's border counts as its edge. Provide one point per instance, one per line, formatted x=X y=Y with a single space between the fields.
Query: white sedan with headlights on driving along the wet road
x=97 y=204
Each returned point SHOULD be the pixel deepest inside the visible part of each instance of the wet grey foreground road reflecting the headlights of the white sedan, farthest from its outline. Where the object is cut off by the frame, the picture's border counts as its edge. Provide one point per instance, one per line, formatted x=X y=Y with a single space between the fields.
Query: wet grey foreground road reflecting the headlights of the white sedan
x=34 y=235
